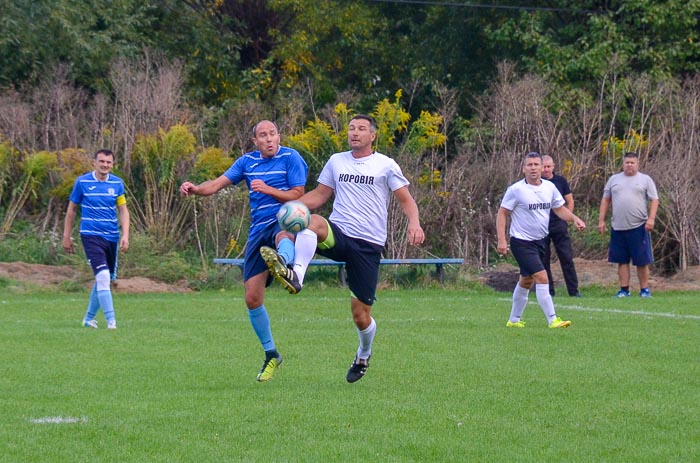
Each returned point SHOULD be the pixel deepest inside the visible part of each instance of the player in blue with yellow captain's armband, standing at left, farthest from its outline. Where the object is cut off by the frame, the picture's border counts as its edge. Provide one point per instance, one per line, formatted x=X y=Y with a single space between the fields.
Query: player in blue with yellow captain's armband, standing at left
x=102 y=208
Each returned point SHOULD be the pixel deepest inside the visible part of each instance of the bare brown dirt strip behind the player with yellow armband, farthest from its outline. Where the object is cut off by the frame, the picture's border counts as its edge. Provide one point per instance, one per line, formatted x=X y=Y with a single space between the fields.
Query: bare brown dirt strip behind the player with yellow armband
x=56 y=275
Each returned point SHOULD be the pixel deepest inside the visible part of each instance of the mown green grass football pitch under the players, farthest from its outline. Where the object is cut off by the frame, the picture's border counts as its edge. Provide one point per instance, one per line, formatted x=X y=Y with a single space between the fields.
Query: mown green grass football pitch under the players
x=447 y=382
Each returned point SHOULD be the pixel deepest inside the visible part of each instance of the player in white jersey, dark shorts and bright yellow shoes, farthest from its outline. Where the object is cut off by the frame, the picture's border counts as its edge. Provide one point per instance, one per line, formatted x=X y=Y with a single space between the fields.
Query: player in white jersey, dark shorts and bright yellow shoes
x=528 y=202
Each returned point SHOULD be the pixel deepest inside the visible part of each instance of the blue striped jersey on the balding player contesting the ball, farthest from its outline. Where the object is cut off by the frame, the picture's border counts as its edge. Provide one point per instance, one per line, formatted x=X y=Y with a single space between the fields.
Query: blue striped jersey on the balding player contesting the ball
x=284 y=171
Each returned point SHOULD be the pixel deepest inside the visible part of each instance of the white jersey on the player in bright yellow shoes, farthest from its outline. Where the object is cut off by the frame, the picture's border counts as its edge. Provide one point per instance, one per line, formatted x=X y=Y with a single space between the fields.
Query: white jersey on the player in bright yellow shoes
x=530 y=206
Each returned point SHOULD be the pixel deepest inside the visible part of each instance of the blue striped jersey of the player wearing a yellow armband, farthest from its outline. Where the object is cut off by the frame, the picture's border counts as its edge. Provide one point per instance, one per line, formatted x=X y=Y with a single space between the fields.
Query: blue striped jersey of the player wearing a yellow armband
x=98 y=204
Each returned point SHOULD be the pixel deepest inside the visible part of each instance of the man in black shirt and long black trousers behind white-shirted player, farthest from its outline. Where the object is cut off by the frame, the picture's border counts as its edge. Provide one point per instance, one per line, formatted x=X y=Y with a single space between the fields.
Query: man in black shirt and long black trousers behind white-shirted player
x=559 y=233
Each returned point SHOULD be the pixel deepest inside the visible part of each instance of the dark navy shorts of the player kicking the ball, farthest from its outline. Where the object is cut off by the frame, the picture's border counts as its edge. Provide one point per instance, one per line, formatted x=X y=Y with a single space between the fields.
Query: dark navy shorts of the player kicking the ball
x=361 y=262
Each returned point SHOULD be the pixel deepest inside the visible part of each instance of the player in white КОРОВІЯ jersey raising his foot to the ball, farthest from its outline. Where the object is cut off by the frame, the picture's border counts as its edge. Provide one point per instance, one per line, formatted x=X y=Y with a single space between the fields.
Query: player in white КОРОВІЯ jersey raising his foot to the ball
x=362 y=181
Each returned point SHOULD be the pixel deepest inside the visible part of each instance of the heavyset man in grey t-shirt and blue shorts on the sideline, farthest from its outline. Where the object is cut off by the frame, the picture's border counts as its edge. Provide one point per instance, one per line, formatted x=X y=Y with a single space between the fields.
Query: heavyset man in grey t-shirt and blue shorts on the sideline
x=630 y=193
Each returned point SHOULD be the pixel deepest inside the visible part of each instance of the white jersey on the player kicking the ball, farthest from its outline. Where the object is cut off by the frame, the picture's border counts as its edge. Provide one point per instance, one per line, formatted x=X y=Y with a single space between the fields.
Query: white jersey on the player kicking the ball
x=362 y=191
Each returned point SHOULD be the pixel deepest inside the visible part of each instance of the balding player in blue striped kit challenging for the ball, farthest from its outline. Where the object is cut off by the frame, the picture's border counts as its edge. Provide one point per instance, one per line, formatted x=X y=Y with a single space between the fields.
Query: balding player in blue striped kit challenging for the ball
x=274 y=174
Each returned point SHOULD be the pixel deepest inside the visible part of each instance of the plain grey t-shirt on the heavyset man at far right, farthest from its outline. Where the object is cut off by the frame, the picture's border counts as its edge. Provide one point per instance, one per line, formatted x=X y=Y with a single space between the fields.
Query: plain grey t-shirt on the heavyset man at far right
x=630 y=195
